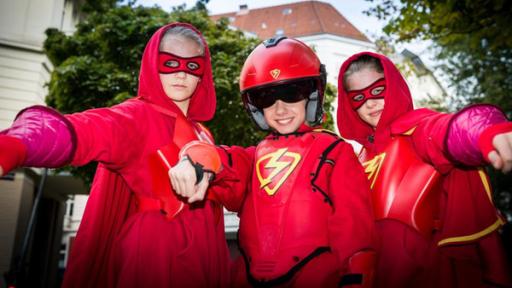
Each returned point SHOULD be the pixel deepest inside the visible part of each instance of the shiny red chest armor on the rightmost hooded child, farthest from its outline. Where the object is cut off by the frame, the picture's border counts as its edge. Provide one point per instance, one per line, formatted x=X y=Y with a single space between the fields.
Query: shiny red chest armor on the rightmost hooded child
x=404 y=188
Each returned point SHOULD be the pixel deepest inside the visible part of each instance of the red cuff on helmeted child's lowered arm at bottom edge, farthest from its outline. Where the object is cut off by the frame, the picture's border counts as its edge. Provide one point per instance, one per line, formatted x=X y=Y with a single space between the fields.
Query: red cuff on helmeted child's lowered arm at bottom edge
x=361 y=270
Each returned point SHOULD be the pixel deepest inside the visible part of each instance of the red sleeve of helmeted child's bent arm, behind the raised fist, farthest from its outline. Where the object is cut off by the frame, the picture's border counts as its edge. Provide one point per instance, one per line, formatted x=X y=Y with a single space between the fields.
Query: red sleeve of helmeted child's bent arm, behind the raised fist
x=231 y=184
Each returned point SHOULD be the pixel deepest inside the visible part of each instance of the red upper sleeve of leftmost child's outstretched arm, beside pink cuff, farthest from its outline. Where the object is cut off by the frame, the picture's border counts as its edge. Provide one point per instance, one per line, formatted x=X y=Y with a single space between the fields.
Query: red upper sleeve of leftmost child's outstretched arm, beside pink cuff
x=108 y=135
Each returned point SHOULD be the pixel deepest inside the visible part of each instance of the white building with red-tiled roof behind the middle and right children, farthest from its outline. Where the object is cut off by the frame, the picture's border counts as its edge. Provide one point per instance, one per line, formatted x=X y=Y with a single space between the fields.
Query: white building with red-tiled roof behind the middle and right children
x=333 y=38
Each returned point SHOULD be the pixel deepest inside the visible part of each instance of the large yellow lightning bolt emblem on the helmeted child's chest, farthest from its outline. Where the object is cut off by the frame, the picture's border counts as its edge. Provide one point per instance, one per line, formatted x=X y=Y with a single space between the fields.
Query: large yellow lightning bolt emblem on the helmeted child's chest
x=276 y=164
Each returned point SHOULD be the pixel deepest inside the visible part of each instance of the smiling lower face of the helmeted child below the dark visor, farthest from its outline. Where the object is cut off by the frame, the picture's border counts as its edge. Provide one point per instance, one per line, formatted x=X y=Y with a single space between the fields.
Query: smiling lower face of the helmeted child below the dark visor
x=285 y=117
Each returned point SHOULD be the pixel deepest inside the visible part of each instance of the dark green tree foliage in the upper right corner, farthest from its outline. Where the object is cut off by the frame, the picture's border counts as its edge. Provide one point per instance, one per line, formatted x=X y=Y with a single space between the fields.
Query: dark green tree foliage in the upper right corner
x=472 y=39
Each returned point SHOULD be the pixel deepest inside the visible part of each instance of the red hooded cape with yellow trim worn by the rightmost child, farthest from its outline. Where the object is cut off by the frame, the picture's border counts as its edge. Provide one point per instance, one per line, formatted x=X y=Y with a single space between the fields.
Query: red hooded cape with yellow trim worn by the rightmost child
x=467 y=214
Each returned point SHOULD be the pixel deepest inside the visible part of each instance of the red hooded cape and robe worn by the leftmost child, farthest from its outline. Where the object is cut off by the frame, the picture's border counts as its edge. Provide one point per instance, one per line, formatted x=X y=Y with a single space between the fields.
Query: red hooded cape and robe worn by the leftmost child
x=115 y=246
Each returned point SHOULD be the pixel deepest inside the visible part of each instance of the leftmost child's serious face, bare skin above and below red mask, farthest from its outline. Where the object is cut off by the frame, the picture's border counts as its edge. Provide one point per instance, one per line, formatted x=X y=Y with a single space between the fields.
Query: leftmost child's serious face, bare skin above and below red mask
x=180 y=86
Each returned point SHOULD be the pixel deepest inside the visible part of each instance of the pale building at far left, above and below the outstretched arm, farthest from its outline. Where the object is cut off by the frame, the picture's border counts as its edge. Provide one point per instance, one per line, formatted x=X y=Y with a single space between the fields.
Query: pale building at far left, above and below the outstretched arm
x=24 y=70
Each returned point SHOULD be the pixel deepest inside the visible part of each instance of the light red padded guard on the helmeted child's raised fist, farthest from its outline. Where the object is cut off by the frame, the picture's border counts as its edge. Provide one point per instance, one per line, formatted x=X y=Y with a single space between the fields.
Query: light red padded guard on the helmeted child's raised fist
x=203 y=156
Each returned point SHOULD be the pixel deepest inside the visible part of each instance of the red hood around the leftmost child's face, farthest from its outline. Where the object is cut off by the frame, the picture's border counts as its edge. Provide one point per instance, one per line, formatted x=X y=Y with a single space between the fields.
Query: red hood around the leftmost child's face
x=203 y=102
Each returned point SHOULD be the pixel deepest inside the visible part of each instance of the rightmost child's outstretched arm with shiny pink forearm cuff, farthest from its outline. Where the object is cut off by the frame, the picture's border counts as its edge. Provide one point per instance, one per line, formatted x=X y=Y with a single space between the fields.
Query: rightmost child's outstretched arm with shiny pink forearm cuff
x=476 y=135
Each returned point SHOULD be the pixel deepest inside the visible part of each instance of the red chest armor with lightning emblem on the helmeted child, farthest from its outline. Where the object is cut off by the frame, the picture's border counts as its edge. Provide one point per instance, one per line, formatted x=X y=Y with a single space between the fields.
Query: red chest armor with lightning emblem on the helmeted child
x=283 y=221
